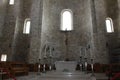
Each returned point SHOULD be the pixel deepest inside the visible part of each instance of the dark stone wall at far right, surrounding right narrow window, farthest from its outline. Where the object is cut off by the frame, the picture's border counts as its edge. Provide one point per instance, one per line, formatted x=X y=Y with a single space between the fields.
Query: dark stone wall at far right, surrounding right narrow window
x=113 y=13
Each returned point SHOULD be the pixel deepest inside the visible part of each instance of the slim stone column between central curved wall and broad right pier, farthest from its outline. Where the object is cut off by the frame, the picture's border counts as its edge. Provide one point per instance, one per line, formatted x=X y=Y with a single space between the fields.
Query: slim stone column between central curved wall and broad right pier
x=93 y=29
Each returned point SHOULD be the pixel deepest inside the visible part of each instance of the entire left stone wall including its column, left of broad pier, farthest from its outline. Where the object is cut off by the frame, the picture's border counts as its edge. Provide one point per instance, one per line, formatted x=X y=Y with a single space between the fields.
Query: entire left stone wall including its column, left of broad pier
x=14 y=43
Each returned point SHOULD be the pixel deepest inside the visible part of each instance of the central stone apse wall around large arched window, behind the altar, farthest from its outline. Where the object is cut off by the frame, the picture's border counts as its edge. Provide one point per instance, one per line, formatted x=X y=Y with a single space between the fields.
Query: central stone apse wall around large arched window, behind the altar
x=54 y=37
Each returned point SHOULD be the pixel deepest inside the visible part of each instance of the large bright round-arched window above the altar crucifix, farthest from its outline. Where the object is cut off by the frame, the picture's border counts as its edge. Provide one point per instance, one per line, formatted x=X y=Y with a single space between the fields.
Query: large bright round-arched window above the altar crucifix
x=66 y=20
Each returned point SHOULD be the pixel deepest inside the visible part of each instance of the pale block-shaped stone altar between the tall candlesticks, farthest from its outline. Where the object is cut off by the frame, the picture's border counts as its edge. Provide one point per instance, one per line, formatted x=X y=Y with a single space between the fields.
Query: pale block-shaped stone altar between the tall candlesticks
x=65 y=66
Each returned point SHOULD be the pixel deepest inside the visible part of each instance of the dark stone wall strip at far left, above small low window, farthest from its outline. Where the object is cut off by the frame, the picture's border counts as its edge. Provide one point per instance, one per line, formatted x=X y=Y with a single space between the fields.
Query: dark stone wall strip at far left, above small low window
x=7 y=29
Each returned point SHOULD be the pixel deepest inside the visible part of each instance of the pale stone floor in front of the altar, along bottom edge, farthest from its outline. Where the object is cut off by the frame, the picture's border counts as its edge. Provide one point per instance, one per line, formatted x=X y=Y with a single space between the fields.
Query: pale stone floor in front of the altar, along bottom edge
x=53 y=75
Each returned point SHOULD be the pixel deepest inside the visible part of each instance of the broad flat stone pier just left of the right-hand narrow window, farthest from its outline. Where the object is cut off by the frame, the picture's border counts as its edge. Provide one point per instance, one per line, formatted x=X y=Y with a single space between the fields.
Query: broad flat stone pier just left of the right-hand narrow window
x=100 y=51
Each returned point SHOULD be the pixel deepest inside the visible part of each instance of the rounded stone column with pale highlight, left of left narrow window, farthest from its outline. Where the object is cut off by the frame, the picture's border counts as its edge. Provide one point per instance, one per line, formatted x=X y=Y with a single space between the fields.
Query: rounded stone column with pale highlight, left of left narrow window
x=18 y=27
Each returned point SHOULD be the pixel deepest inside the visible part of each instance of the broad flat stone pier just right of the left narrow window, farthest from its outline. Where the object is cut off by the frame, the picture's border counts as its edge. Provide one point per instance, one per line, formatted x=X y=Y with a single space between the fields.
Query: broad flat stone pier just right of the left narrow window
x=36 y=23
